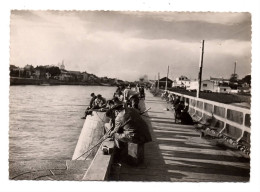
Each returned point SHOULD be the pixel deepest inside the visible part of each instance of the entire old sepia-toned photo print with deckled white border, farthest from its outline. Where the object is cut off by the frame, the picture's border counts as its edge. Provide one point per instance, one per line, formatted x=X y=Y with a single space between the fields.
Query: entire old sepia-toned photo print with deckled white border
x=125 y=97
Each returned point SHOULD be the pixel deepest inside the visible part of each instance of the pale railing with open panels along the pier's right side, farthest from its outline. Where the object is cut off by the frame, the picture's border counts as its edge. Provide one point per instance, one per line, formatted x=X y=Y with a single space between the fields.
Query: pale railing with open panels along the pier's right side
x=230 y=120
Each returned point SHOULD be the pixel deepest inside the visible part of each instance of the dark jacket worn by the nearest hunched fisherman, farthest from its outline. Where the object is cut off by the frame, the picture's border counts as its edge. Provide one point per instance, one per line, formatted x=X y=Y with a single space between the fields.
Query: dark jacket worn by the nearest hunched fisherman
x=130 y=123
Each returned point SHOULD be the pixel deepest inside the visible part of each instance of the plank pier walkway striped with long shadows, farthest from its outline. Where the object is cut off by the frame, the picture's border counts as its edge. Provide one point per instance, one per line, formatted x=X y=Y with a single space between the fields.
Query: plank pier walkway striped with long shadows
x=178 y=154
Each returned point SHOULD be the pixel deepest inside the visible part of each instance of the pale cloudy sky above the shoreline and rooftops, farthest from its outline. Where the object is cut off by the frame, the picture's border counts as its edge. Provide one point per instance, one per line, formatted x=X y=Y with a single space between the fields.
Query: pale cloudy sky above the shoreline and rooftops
x=128 y=45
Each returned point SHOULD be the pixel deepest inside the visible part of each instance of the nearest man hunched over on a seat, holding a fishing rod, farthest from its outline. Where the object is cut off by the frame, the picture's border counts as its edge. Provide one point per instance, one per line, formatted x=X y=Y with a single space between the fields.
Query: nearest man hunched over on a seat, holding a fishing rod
x=129 y=128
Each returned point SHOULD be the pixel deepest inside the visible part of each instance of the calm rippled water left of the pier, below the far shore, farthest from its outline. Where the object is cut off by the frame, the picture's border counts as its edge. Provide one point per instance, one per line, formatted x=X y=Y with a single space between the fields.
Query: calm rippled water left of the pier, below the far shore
x=45 y=120
